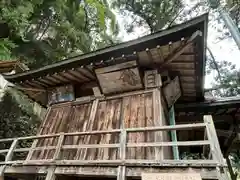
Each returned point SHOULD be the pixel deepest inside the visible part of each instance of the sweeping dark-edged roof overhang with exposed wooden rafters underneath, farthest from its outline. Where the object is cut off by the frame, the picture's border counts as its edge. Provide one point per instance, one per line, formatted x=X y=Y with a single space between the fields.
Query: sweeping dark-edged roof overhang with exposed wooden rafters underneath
x=179 y=49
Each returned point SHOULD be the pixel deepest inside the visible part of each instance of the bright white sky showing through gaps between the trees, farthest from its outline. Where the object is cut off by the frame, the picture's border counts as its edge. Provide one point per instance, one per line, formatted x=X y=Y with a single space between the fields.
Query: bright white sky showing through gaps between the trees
x=225 y=49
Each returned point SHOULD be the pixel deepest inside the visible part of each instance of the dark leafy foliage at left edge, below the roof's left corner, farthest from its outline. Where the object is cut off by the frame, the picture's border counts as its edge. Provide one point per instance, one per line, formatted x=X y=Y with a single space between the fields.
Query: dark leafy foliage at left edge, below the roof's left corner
x=16 y=118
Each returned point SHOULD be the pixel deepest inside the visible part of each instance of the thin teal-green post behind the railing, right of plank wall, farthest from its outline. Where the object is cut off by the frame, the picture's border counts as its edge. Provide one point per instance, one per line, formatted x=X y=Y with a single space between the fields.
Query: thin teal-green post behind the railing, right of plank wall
x=173 y=133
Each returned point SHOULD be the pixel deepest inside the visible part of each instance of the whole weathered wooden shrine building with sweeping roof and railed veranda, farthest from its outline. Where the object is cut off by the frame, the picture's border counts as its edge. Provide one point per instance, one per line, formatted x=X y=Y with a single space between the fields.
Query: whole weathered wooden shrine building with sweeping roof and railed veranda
x=126 y=111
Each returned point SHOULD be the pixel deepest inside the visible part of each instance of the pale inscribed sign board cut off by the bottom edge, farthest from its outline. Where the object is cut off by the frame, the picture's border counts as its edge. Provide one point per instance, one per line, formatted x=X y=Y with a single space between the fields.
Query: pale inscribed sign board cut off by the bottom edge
x=171 y=176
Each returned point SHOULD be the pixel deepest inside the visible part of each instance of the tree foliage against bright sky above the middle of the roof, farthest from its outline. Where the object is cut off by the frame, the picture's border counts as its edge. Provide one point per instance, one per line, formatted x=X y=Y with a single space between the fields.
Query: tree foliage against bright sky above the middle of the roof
x=153 y=14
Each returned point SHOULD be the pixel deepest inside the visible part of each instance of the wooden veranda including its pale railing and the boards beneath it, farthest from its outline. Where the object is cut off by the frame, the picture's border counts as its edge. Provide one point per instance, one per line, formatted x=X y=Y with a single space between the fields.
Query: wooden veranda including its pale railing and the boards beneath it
x=211 y=167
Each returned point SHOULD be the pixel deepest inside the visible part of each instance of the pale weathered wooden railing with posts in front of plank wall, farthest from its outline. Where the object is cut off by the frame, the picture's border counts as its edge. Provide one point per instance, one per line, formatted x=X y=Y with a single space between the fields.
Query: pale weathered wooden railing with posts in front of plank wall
x=211 y=141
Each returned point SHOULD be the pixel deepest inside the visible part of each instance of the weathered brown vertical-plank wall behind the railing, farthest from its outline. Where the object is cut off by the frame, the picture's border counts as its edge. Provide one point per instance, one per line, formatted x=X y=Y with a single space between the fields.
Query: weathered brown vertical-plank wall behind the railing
x=125 y=112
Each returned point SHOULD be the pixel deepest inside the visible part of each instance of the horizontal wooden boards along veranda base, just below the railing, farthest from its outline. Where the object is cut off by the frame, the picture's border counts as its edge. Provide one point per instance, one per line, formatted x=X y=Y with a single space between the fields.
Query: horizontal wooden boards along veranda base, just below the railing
x=206 y=173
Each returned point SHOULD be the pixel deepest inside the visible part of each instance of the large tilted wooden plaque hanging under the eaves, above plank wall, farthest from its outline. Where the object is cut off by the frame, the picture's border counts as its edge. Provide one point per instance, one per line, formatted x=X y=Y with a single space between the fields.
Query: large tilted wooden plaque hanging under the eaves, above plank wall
x=119 y=78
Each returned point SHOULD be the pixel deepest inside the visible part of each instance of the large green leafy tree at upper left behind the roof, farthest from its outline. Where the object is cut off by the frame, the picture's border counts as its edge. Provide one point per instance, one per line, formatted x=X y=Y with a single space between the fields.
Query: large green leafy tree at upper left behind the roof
x=46 y=31
